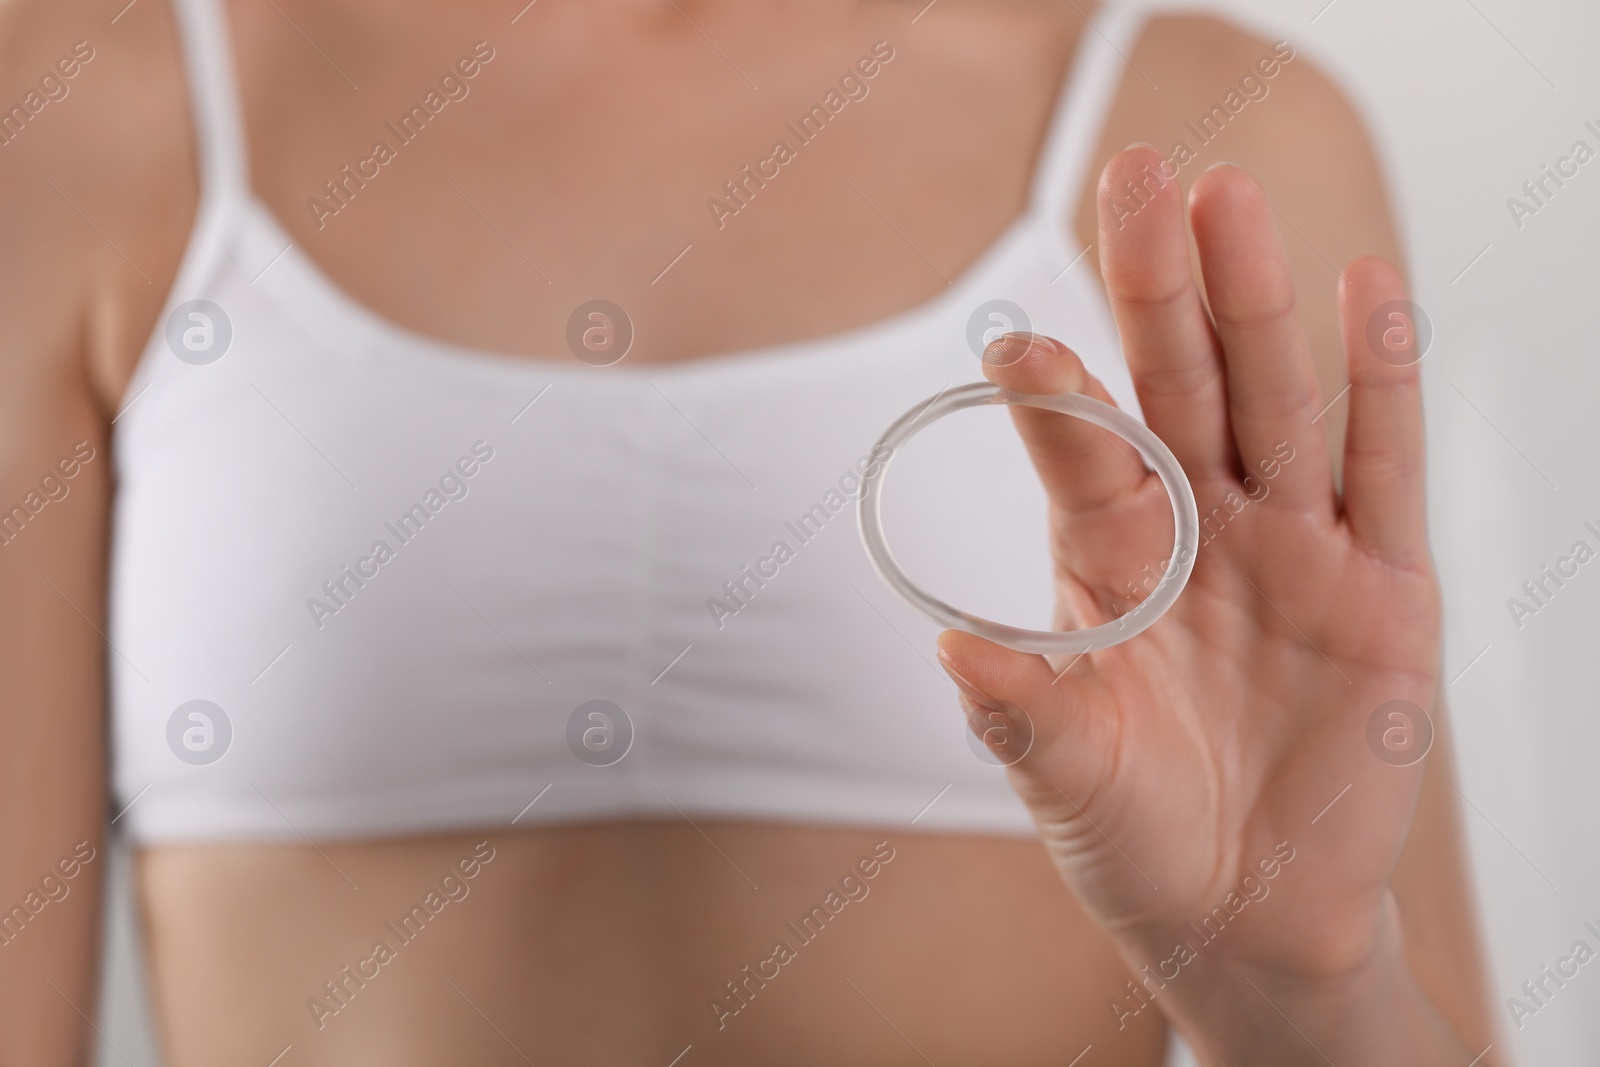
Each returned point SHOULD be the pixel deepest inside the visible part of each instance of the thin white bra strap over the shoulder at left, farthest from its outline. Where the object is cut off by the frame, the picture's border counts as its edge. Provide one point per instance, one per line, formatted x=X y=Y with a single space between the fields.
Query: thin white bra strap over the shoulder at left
x=214 y=95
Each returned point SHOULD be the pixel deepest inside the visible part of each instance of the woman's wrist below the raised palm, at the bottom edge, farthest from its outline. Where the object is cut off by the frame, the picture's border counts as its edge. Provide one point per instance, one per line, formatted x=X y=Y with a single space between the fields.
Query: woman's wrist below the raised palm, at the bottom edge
x=1242 y=1015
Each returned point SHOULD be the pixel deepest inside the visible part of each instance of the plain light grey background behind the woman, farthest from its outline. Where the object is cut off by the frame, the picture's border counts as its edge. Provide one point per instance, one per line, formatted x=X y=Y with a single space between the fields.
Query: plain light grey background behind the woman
x=1466 y=100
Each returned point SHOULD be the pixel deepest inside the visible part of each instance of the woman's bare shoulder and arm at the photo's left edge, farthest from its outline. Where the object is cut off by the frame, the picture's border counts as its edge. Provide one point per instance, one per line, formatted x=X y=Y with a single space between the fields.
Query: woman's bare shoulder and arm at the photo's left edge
x=90 y=231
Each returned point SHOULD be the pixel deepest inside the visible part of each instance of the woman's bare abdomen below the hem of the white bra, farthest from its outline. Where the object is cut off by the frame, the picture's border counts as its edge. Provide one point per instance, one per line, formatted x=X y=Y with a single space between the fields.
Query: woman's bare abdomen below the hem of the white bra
x=633 y=945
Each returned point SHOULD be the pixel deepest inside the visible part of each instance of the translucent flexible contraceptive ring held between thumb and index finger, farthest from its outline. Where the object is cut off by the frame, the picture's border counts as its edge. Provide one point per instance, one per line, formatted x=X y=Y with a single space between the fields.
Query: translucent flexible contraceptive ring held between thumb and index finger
x=1186 y=522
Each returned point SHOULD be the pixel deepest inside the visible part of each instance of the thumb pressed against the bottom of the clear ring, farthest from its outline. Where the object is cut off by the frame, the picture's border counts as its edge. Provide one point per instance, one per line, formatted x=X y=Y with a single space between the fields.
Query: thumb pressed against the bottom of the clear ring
x=1046 y=725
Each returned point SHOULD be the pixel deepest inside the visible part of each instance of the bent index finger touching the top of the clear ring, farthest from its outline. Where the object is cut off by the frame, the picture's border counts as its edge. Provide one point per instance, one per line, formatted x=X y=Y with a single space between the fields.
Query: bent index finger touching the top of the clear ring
x=1082 y=466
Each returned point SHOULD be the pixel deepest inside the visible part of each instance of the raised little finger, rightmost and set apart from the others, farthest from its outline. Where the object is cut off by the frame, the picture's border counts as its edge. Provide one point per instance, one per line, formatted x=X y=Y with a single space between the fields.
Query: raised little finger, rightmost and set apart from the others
x=1383 y=447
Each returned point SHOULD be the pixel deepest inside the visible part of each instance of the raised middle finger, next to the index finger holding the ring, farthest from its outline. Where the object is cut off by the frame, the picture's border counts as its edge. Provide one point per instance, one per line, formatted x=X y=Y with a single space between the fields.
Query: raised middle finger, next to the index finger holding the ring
x=1167 y=338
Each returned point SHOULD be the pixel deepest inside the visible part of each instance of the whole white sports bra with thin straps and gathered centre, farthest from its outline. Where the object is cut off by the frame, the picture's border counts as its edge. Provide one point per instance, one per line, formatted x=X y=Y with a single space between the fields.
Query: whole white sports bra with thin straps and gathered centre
x=367 y=583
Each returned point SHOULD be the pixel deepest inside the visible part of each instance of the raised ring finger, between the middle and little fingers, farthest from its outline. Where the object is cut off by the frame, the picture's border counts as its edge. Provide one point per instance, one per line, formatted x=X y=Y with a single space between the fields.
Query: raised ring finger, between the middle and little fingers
x=1271 y=382
